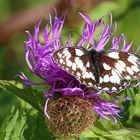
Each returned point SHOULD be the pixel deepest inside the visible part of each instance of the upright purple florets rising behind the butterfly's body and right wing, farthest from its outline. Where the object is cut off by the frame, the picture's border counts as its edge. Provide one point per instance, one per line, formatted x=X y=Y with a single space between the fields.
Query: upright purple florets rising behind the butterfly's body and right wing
x=88 y=35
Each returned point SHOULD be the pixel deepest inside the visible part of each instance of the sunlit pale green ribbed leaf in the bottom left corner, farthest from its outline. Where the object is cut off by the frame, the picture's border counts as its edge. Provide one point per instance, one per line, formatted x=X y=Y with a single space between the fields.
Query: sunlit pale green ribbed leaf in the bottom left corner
x=14 y=125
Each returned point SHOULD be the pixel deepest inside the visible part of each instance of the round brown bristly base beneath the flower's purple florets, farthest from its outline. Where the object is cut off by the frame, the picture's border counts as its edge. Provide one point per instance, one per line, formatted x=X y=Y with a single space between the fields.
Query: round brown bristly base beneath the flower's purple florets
x=70 y=116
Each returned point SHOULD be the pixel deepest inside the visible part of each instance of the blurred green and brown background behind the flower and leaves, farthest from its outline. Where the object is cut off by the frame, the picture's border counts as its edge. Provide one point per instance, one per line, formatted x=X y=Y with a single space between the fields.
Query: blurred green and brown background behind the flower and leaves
x=18 y=16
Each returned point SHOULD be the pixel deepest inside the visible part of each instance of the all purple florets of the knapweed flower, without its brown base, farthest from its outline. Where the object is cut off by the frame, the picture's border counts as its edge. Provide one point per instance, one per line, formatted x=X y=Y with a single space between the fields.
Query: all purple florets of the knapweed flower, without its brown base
x=39 y=59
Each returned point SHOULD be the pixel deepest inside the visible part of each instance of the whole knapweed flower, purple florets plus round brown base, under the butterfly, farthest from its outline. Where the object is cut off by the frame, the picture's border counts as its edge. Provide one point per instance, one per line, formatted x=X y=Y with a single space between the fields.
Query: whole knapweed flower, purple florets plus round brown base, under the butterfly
x=69 y=102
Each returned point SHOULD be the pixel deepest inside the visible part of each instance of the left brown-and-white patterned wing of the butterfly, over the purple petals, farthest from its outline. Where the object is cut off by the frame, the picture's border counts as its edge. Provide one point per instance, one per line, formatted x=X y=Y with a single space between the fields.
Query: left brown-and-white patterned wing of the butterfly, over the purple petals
x=76 y=62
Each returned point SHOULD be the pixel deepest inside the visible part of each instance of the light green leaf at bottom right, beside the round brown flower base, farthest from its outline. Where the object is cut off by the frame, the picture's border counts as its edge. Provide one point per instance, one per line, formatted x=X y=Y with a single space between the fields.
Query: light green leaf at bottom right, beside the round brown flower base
x=109 y=131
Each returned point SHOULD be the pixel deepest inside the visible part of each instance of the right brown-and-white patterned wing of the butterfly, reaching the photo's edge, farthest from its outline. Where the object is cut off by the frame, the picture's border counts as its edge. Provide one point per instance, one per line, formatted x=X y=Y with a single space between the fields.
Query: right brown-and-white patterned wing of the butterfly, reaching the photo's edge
x=117 y=70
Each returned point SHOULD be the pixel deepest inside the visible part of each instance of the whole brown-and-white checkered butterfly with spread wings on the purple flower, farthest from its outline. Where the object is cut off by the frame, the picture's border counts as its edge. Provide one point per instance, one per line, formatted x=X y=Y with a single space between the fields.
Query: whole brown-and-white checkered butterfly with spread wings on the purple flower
x=110 y=71
